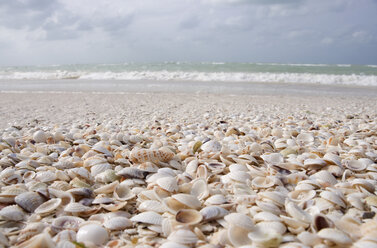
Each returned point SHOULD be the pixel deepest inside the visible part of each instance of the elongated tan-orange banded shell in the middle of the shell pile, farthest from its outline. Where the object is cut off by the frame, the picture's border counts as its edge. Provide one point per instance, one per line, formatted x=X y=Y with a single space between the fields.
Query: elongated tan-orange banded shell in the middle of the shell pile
x=154 y=156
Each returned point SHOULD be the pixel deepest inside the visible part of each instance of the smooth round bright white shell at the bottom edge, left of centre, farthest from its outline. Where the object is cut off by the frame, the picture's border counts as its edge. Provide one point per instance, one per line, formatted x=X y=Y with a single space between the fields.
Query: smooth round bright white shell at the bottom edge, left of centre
x=92 y=233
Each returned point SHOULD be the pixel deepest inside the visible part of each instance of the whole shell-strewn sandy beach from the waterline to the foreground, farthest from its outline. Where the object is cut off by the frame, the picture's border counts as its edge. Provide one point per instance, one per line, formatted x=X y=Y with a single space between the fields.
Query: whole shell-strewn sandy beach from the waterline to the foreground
x=189 y=169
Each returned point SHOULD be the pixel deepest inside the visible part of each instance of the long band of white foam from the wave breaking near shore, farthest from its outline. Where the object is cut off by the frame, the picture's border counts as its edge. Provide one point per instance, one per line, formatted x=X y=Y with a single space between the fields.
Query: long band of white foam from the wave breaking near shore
x=330 y=79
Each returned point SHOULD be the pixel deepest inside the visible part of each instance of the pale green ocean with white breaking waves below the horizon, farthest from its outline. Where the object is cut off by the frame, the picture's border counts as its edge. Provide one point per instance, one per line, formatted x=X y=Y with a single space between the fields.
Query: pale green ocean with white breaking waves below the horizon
x=340 y=74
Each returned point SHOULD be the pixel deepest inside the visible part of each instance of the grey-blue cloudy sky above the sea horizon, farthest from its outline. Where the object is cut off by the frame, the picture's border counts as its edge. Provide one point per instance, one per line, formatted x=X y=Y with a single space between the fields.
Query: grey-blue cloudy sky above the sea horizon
x=116 y=31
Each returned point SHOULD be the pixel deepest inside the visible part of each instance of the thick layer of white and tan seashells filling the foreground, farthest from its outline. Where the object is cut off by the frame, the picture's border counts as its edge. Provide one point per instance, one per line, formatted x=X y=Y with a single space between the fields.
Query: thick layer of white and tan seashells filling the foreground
x=288 y=183
